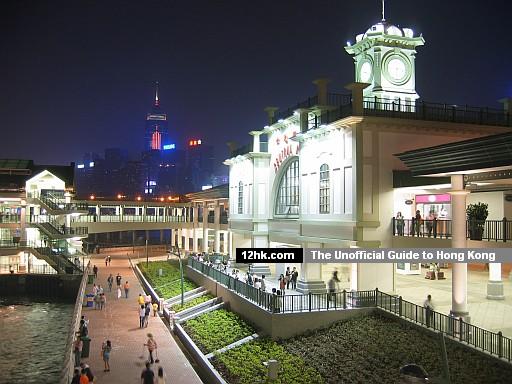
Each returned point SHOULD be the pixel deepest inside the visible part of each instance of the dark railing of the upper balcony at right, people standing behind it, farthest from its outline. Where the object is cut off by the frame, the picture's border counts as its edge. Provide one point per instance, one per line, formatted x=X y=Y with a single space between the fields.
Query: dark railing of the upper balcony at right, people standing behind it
x=490 y=230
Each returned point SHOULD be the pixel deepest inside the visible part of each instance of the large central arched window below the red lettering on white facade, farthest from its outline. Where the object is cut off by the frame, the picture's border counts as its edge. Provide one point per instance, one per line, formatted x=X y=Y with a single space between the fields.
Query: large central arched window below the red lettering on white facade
x=288 y=193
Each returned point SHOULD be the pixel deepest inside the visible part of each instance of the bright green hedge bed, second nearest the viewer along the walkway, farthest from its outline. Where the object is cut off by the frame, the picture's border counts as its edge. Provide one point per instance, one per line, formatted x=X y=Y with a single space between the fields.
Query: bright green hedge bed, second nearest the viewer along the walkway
x=217 y=329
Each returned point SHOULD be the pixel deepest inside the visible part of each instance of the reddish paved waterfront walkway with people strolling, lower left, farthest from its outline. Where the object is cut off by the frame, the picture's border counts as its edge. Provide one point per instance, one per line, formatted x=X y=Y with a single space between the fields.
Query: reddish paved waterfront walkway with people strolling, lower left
x=119 y=322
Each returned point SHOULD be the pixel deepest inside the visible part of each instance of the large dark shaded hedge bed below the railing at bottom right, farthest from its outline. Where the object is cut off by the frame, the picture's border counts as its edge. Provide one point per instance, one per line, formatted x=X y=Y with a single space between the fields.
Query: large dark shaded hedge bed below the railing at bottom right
x=372 y=349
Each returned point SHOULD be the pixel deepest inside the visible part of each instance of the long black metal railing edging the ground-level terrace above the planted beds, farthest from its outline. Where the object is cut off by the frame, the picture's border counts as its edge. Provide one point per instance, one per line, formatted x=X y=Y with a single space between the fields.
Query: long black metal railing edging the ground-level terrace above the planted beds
x=492 y=342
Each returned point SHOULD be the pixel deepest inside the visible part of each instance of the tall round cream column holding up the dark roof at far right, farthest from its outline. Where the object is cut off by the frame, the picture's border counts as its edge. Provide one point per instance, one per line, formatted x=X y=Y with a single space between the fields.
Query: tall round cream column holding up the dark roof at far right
x=459 y=270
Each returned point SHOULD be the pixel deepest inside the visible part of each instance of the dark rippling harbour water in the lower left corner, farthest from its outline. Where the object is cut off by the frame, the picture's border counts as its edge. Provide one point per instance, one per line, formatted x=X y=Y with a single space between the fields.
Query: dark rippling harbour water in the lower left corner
x=33 y=334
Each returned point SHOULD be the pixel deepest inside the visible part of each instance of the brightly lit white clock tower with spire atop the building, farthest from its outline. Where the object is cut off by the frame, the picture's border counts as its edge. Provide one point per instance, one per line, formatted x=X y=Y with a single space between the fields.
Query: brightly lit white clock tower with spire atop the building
x=384 y=57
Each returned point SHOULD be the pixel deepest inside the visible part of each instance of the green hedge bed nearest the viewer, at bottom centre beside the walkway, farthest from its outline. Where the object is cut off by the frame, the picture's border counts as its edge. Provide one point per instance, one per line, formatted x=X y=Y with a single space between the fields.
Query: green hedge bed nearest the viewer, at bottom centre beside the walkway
x=244 y=365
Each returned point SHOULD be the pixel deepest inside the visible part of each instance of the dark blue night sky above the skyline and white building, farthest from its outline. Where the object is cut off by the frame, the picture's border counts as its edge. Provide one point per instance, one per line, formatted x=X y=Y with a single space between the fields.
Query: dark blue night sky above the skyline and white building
x=78 y=76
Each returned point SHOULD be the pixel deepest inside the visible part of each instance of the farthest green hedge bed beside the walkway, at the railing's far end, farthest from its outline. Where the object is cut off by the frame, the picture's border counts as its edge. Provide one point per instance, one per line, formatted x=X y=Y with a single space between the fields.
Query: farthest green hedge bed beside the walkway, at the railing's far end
x=168 y=285
